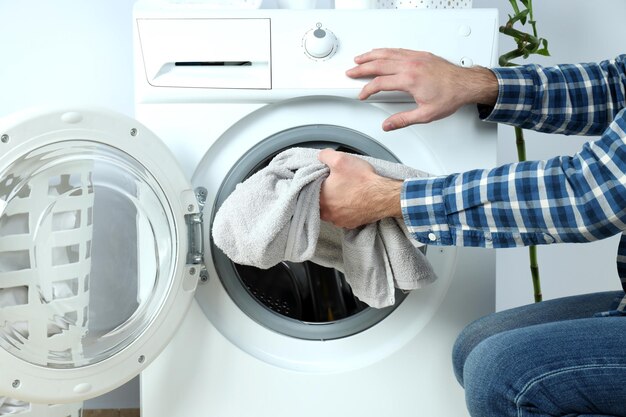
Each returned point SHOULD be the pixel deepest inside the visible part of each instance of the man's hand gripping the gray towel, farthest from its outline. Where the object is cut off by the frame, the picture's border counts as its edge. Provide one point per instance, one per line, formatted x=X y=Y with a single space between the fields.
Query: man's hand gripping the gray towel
x=353 y=194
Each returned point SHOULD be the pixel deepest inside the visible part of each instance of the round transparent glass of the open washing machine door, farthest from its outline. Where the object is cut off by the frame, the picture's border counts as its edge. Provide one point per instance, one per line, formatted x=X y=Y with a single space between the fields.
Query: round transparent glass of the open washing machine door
x=86 y=244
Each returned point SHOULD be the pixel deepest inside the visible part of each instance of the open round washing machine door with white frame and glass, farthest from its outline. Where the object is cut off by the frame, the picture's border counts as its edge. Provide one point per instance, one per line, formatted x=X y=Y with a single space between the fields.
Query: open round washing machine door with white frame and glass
x=96 y=270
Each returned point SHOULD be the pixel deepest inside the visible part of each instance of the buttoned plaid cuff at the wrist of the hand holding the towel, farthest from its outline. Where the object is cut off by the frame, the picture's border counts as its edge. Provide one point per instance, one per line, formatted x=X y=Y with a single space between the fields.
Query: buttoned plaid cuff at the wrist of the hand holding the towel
x=424 y=212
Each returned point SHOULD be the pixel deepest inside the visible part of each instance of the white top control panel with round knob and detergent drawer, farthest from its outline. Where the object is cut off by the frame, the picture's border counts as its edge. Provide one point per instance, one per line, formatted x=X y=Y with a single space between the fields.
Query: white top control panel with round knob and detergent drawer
x=276 y=54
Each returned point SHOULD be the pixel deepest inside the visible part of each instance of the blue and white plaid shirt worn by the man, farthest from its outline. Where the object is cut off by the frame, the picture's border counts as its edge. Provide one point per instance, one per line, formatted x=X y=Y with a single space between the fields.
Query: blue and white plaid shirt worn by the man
x=578 y=198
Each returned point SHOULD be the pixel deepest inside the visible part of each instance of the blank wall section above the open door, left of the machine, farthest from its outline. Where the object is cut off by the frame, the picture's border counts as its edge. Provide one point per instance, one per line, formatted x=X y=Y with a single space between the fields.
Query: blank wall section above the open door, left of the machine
x=65 y=52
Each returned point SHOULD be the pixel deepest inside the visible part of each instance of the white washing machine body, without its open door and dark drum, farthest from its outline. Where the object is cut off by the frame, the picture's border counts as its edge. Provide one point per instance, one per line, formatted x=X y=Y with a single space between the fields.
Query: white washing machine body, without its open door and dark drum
x=226 y=90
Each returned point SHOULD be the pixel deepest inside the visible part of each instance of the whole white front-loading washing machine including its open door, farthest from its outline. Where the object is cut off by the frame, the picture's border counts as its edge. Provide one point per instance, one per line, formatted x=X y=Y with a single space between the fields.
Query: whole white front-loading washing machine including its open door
x=107 y=266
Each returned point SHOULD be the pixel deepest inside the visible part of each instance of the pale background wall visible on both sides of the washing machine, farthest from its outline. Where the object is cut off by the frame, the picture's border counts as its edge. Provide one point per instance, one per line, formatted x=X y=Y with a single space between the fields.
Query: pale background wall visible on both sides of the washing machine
x=69 y=52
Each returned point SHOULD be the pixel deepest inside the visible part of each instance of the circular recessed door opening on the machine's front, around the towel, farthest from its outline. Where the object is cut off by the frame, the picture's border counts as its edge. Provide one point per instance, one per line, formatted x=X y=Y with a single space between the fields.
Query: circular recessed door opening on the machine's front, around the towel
x=303 y=317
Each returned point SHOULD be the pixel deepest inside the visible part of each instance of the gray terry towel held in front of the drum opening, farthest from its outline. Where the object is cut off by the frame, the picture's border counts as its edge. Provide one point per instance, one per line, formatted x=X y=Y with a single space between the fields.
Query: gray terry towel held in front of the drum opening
x=273 y=216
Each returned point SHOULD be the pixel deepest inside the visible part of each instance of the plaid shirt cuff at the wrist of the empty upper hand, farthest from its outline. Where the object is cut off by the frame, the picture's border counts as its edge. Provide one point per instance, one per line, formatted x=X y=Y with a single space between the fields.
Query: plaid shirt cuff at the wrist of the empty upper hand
x=516 y=96
